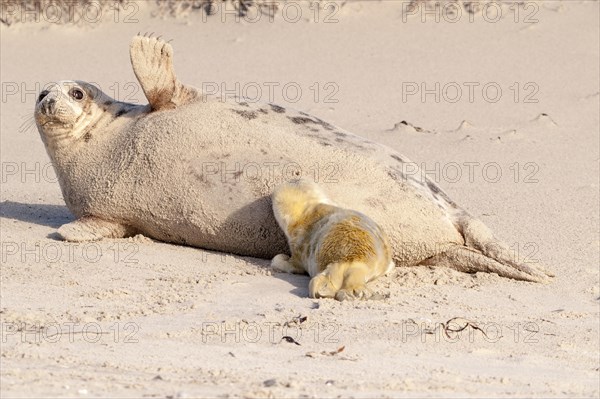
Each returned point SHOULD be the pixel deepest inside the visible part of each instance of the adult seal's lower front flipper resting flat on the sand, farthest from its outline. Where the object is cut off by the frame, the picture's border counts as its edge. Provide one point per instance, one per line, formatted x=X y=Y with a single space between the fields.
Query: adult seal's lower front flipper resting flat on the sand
x=91 y=228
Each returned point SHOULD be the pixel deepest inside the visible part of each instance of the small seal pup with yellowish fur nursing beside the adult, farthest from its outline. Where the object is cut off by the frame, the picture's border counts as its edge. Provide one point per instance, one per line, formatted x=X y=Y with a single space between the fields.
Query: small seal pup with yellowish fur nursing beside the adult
x=340 y=249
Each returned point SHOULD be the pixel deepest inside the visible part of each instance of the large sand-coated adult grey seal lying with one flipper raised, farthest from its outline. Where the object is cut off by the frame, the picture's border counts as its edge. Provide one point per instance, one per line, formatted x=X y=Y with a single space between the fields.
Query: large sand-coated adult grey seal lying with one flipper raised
x=198 y=171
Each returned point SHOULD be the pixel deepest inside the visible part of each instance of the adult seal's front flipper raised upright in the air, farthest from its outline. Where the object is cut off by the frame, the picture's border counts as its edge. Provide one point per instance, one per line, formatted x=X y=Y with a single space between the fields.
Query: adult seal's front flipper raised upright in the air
x=152 y=61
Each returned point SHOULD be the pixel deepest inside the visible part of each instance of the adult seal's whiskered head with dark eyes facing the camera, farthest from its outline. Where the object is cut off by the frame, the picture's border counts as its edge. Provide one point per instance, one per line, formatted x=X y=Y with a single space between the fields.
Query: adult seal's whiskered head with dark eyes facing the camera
x=67 y=110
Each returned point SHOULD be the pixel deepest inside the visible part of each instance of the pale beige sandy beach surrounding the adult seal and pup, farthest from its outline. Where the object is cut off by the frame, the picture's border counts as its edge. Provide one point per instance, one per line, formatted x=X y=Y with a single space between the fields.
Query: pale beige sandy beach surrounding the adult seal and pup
x=137 y=318
